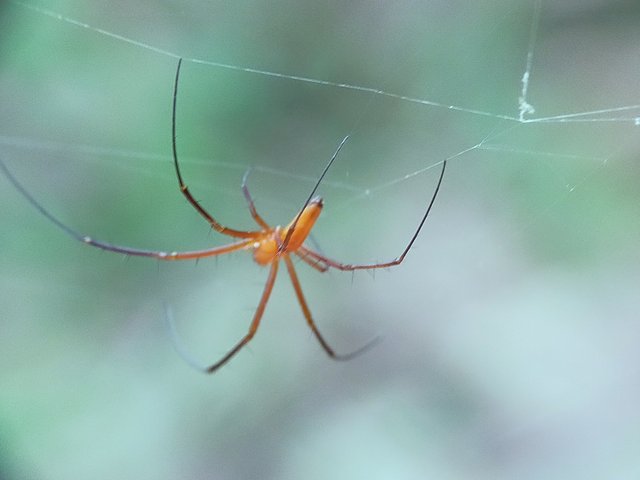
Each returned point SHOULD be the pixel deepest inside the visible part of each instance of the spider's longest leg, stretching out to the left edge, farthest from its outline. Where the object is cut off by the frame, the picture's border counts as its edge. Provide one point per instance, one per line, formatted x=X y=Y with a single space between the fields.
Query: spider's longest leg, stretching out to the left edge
x=117 y=248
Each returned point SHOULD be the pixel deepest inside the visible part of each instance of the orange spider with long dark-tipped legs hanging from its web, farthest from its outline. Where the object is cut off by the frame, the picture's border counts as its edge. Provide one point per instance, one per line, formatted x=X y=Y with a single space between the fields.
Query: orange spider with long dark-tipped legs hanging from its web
x=269 y=244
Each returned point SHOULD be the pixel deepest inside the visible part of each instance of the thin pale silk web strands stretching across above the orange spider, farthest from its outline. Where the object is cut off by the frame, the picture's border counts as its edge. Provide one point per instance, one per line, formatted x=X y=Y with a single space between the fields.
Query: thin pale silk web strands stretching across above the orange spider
x=621 y=114
